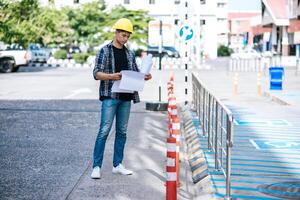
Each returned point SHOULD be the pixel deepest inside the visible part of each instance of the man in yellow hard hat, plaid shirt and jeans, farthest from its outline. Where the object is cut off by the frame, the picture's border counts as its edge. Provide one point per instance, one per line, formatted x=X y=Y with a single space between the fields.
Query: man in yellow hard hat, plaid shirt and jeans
x=111 y=59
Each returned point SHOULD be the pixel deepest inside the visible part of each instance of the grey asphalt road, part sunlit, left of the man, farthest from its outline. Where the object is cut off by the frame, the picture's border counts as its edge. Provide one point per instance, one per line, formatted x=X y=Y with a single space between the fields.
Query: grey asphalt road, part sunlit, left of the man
x=48 y=119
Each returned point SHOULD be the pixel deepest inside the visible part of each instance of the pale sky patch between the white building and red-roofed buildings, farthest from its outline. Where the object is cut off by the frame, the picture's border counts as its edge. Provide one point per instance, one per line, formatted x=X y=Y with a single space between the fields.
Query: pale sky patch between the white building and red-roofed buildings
x=244 y=5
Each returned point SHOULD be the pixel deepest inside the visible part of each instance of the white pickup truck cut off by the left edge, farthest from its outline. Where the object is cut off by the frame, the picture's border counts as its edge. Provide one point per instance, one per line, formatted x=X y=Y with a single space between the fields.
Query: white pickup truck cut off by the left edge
x=12 y=58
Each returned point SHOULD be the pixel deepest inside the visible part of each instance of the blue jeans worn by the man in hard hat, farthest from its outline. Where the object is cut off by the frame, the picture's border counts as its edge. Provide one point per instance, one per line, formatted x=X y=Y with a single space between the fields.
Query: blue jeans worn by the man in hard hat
x=111 y=108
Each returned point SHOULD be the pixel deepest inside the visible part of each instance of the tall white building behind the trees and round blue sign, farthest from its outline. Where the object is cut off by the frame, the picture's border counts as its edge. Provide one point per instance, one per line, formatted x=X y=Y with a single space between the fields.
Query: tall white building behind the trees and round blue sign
x=207 y=18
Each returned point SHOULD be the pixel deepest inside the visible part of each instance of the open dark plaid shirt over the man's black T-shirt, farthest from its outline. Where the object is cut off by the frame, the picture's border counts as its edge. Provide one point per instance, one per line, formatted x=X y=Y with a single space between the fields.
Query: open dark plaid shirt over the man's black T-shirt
x=105 y=63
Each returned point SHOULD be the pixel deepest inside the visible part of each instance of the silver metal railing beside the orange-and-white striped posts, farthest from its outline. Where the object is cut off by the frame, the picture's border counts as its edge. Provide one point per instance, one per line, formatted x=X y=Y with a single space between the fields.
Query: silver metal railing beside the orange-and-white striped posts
x=217 y=124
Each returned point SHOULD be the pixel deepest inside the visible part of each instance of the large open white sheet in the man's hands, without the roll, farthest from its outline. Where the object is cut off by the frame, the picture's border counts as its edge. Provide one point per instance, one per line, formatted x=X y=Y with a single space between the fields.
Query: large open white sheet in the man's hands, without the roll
x=132 y=80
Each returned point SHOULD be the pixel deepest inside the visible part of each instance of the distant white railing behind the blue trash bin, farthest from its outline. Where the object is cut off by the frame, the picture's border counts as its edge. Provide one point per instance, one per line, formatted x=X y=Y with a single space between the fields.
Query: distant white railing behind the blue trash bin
x=262 y=64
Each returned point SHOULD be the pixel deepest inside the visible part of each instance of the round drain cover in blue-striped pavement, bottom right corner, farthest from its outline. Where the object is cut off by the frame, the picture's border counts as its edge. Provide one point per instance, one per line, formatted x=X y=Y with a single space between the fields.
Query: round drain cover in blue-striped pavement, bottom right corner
x=285 y=190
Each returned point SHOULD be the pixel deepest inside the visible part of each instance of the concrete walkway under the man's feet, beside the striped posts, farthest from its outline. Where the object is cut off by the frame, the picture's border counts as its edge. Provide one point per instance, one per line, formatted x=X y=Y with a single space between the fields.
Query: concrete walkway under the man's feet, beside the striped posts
x=144 y=154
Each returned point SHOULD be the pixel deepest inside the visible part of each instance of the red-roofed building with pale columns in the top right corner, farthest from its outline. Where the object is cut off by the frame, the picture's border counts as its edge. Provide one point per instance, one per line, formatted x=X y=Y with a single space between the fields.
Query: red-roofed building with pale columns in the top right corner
x=283 y=17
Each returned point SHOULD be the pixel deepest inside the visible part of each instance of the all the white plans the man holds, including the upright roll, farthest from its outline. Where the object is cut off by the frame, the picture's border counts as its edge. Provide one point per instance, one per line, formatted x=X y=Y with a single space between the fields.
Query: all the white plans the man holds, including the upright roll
x=131 y=80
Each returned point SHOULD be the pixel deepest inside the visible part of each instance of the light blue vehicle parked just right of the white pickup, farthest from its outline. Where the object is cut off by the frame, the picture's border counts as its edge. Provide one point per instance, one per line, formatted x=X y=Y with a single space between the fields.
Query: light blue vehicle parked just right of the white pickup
x=38 y=54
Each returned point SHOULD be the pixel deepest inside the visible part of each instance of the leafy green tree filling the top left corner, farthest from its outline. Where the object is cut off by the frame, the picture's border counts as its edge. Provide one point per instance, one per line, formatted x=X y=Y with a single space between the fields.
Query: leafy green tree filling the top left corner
x=24 y=22
